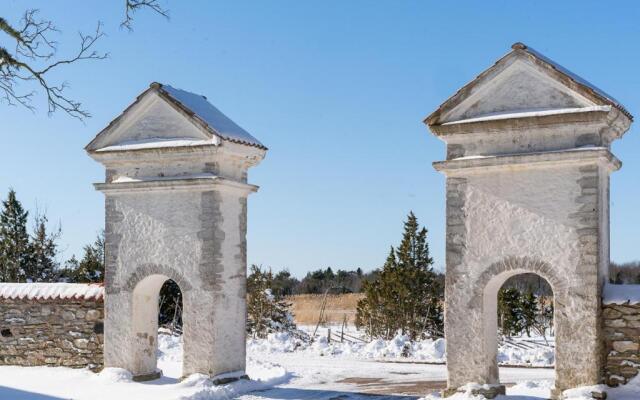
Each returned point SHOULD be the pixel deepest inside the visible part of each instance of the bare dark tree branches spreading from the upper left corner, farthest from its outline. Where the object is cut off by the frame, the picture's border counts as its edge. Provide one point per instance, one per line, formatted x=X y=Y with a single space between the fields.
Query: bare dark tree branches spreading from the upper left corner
x=31 y=60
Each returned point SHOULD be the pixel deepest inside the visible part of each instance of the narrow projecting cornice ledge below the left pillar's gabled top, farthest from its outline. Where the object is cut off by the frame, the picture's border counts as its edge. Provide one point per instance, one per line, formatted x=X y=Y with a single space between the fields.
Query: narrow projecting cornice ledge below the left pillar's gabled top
x=182 y=184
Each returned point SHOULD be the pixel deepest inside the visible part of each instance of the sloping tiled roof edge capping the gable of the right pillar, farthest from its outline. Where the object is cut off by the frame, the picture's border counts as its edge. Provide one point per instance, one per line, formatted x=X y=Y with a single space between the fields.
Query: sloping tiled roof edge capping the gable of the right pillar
x=554 y=69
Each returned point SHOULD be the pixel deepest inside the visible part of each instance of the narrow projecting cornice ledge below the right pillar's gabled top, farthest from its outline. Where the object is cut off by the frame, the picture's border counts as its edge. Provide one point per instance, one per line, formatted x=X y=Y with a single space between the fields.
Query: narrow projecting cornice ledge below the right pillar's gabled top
x=542 y=159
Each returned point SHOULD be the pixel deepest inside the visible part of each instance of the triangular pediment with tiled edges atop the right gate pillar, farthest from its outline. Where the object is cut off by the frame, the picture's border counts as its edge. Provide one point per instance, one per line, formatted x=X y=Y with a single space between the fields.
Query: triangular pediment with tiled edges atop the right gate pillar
x=521 y=82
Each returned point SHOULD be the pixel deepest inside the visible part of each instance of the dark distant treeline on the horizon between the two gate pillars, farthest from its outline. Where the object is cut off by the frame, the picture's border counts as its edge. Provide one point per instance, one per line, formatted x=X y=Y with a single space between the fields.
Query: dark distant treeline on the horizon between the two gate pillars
x=321 y=280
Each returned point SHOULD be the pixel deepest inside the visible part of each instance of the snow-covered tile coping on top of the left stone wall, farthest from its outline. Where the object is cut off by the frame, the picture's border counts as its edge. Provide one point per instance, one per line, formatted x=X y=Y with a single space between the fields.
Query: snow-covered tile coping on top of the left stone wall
x=52 y=291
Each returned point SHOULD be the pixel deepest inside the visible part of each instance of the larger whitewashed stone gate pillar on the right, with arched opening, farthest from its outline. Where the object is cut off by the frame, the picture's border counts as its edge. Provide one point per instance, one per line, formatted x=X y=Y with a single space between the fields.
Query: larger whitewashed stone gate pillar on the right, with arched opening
x=527 y=186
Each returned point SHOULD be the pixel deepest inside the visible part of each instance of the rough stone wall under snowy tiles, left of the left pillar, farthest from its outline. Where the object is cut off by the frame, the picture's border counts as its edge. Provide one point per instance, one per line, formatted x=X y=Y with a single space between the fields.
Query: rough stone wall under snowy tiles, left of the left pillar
x=58 y=332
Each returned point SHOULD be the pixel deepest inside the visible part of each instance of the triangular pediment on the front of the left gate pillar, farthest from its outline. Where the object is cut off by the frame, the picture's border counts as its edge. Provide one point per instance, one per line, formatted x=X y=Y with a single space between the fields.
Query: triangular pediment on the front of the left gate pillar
x=150 y=119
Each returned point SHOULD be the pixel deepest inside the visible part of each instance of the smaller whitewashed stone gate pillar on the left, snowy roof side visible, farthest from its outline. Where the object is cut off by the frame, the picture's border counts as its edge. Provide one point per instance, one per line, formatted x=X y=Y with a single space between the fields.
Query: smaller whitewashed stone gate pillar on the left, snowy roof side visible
x=176 y=208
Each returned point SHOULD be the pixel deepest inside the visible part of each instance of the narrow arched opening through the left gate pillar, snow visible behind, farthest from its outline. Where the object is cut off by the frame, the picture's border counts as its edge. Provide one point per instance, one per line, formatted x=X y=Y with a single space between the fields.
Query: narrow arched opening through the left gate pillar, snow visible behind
x=157 y=303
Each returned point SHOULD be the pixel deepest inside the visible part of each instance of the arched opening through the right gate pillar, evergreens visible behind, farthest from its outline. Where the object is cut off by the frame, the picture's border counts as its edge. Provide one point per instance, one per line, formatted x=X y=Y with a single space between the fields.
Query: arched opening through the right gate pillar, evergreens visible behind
x=519 y=321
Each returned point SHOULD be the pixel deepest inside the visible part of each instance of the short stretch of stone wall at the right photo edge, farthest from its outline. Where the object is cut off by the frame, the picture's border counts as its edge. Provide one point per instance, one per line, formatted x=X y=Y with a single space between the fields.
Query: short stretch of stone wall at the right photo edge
x=622 y=342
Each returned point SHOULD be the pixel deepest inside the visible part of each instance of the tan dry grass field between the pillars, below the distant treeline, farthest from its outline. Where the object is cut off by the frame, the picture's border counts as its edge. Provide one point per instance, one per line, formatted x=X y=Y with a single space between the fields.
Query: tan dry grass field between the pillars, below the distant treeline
x=306 y=308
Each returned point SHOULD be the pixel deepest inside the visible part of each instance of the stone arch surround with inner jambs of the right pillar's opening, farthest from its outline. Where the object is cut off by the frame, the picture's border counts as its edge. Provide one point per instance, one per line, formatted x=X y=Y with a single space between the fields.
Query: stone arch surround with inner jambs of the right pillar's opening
x=486 y=291
